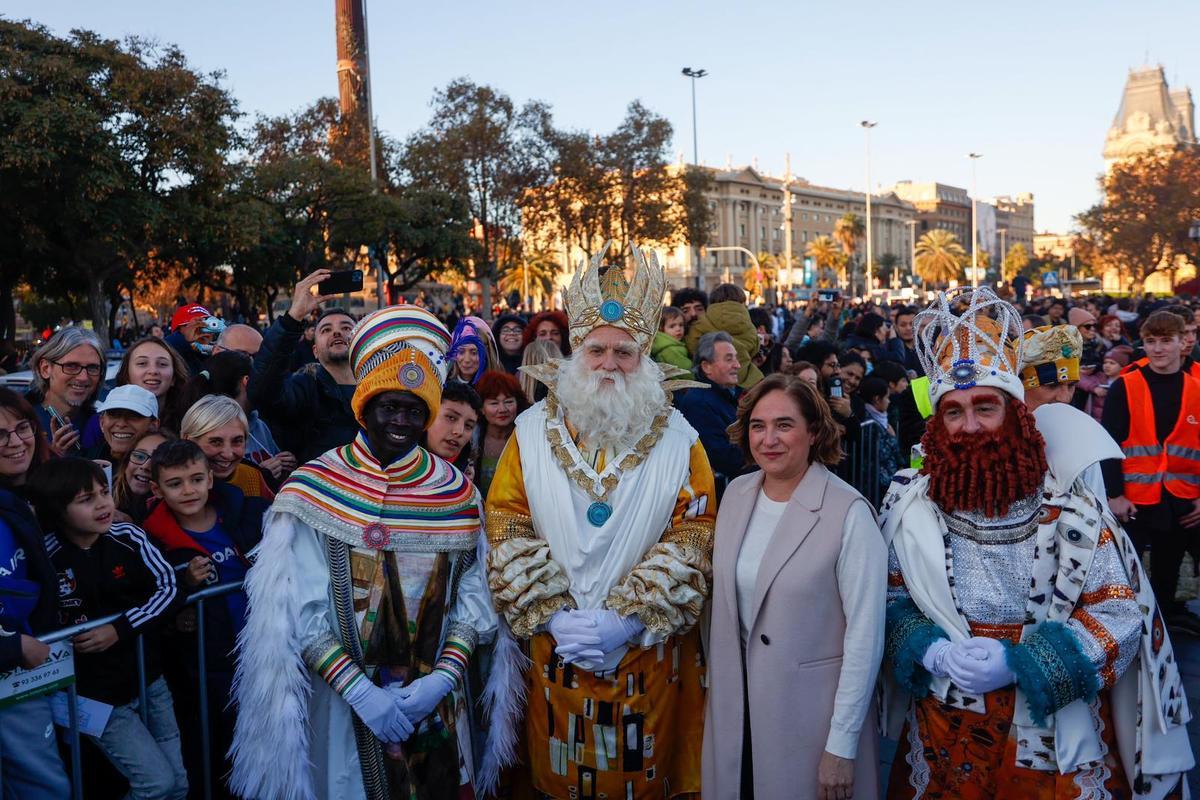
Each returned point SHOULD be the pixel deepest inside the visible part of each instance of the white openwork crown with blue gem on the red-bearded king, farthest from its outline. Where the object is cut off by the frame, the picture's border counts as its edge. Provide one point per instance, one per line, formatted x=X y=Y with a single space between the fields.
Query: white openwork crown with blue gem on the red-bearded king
x=970 y=338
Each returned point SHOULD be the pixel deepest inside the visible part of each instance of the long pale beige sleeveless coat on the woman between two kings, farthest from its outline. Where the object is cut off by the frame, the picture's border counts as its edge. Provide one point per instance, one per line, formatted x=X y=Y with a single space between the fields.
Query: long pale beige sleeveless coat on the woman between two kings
x=794 y=655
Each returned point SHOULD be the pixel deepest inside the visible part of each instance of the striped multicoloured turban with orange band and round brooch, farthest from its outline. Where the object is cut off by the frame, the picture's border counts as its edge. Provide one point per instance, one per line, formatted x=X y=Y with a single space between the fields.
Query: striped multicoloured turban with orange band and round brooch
x=403 y=350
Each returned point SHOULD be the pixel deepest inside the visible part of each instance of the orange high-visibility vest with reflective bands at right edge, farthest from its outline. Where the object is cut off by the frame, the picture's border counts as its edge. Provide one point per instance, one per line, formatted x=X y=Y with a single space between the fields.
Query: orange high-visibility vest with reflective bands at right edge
x=1151 y=466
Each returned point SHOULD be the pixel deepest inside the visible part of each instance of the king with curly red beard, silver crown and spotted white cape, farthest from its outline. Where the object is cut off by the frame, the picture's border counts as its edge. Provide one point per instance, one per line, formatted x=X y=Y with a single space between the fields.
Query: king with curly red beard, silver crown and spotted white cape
x=1027 y=657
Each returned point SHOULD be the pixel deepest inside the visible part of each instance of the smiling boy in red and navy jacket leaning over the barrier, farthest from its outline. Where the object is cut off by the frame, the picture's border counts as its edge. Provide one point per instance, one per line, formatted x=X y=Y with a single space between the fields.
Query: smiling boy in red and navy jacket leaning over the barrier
x=211 y=527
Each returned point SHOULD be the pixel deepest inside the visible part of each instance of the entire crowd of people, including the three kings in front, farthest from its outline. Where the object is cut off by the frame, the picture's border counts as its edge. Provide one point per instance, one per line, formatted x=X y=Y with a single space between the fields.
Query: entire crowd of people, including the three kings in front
x=475 y=558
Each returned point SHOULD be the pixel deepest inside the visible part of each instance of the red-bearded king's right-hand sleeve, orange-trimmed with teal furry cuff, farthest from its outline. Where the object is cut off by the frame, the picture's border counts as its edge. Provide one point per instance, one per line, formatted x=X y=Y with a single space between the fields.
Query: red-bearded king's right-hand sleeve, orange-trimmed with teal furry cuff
x=1061 y=663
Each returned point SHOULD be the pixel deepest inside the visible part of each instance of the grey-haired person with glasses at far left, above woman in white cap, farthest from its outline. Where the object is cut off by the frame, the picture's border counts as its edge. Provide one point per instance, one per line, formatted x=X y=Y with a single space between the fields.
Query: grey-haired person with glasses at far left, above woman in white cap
x=68 y=372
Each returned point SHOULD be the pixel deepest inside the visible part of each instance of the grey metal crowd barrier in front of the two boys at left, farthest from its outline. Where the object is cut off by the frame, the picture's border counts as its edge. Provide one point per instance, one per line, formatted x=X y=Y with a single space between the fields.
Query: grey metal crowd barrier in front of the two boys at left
x=197 y=599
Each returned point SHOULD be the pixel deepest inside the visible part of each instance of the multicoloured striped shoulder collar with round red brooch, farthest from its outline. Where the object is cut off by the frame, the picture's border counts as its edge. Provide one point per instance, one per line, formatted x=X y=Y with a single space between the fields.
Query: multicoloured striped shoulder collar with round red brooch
x=419 y=503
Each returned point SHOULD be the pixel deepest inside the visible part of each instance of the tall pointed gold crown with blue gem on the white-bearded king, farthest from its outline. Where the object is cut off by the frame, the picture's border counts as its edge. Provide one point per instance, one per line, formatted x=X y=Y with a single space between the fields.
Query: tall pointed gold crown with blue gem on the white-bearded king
x=602 y=296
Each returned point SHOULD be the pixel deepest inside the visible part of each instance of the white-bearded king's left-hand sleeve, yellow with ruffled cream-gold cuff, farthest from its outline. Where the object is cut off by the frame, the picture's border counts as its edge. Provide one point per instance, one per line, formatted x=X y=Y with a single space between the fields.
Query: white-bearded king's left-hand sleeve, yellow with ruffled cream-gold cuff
x=527 y=585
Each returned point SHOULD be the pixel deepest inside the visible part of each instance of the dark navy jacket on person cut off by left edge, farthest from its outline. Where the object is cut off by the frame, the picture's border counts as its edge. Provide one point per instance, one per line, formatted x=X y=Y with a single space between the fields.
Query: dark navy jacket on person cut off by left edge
x=29 y=594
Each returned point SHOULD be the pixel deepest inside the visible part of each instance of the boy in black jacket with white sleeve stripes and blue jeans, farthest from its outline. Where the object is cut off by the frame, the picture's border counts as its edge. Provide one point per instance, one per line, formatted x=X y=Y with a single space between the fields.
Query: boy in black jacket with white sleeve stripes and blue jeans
x=104 y=569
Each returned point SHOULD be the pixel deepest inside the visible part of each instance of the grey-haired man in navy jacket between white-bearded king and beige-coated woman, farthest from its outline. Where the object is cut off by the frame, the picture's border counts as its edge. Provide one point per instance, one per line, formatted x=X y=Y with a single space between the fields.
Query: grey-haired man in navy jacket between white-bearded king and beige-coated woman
x=713 y=410
